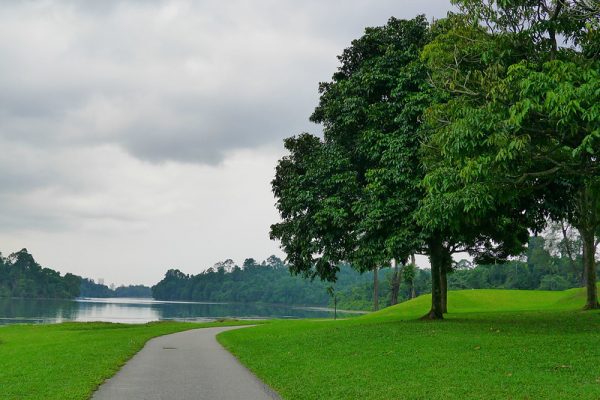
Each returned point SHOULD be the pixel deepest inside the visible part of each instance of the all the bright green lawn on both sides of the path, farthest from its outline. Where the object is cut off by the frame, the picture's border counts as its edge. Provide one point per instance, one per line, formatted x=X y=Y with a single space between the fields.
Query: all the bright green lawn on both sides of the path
x=494 y=344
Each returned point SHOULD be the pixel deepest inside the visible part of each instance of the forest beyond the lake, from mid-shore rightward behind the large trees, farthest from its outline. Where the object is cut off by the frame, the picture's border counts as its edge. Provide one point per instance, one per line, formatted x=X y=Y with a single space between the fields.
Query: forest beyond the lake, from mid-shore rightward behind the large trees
x=545 y=265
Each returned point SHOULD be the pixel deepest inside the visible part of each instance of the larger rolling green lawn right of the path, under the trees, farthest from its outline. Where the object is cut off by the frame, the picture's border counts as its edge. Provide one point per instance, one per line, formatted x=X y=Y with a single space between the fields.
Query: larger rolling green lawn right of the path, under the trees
x=494 y=344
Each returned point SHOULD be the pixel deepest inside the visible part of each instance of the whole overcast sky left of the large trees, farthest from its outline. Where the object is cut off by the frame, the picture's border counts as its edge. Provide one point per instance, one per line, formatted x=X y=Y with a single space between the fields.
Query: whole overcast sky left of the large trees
x=142 y=135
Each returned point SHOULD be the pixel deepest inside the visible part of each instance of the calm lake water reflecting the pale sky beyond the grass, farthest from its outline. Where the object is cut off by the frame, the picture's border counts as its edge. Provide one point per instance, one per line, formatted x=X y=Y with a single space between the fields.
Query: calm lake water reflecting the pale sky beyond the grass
x=143 y=310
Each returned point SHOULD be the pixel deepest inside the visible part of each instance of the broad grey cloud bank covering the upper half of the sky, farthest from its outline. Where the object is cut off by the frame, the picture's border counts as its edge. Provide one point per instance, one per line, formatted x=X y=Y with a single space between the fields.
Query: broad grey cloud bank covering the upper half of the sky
x=182 y=81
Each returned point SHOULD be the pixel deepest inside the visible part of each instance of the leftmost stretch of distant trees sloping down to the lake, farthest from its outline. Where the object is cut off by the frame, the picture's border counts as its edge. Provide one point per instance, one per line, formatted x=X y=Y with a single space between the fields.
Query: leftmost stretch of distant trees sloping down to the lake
x=22 y=276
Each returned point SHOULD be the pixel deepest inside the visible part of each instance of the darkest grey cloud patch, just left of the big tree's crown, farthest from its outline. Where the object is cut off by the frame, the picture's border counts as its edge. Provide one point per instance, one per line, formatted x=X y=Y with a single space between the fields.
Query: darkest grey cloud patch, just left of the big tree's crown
x=213 y=130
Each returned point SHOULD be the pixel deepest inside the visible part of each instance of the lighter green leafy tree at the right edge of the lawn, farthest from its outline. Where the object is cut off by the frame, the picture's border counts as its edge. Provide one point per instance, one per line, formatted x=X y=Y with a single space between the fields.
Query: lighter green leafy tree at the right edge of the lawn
x=520 y=128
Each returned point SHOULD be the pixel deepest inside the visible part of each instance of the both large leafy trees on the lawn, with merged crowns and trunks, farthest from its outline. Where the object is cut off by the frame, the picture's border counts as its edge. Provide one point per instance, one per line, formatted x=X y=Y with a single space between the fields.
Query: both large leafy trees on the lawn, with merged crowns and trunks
x=463 y=135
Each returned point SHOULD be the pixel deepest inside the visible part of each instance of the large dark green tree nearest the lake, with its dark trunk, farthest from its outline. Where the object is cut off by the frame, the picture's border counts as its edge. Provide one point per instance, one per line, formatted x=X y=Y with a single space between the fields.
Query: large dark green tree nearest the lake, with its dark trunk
x=355 y=194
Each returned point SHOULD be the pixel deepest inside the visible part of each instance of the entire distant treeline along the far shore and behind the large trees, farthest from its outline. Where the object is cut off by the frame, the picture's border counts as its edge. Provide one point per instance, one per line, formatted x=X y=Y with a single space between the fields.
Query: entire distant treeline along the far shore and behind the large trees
x=547 y=265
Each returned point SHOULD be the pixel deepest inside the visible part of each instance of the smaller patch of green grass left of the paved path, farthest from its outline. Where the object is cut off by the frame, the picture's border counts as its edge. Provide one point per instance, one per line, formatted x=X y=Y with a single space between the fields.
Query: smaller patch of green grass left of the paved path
x=69 y=360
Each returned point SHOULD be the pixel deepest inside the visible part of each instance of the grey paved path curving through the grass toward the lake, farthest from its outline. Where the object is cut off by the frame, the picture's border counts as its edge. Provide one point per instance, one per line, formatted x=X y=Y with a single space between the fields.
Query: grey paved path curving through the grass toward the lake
x=186 y=365
